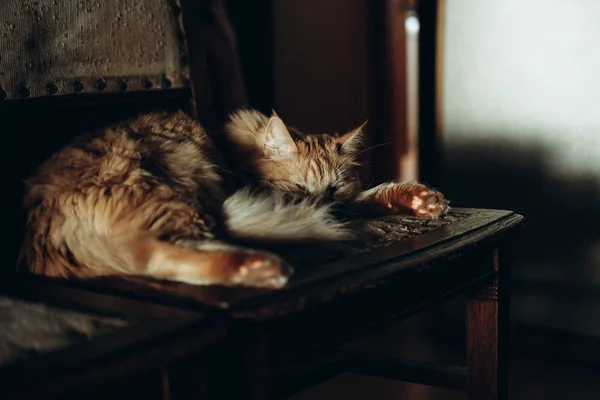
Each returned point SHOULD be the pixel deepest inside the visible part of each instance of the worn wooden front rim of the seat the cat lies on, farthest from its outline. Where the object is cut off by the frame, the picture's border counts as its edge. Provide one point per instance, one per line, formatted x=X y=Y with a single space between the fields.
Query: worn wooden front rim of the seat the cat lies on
x=315 y=284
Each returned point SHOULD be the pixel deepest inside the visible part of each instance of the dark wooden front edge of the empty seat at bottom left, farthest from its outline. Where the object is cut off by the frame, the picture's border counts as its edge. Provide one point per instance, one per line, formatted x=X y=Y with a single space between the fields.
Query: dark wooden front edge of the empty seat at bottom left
x=127 y=352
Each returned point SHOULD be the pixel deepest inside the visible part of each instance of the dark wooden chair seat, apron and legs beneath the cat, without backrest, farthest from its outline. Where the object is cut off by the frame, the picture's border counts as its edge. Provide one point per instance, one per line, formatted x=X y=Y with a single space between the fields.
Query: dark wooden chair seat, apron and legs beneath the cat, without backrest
x=284 y=341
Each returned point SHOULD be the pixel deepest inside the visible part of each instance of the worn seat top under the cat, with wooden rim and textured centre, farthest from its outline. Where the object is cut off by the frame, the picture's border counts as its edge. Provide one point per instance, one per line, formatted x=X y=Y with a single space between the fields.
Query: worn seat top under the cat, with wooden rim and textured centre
x=391 y=248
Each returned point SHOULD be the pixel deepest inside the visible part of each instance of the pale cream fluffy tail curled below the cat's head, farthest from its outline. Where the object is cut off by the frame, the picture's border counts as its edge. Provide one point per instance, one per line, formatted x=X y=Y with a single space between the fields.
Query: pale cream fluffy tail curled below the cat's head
x=272 y=219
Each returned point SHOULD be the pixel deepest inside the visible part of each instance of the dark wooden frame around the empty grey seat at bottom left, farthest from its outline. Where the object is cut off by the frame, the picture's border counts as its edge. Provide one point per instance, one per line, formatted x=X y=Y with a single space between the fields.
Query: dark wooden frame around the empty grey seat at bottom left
x=132 y=356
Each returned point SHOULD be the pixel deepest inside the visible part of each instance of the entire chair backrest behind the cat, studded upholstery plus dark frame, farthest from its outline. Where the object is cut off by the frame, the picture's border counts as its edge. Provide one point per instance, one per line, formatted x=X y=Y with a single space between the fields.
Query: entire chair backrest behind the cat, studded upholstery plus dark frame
x=68 y=66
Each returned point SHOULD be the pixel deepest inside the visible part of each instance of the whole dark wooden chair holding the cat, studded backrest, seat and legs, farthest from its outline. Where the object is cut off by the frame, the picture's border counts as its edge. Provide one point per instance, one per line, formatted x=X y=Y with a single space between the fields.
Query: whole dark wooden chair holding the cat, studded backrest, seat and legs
x=278 y=342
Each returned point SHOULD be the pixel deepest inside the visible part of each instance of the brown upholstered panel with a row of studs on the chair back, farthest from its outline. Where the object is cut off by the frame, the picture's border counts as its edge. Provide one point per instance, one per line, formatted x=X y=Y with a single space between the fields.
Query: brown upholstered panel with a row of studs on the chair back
x=54 y=48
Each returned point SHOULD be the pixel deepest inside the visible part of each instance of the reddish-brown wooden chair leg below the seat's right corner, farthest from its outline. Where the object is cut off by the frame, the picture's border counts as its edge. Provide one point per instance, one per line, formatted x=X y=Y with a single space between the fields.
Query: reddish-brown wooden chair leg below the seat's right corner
x=488 y=328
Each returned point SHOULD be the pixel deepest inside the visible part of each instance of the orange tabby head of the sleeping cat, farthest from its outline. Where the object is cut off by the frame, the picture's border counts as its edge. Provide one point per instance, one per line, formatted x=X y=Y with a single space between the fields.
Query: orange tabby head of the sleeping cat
x=322 y=165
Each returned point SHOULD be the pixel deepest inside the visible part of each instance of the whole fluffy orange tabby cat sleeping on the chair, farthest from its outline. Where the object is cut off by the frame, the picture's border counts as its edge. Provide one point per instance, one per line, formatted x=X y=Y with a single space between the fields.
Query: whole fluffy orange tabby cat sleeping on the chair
x=150 y=196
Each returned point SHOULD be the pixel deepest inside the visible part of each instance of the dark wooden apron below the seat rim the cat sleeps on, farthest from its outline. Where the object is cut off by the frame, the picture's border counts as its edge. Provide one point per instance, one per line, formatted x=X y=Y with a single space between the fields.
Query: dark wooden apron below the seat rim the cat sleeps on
x=383 y=302
